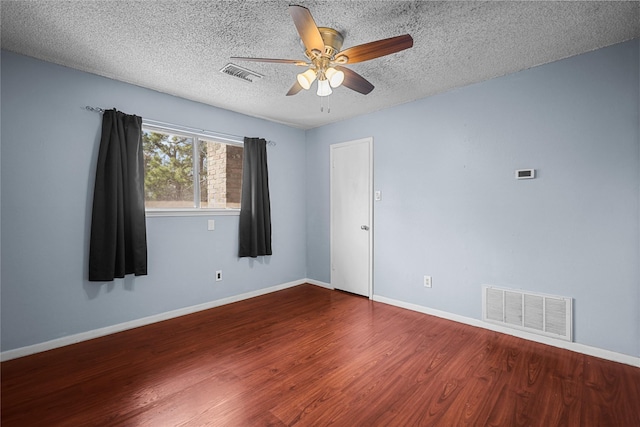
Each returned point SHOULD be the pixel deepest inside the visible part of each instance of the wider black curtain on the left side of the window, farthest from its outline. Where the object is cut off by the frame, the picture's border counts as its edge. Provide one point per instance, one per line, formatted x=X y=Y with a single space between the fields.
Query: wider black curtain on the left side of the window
x=118 y=243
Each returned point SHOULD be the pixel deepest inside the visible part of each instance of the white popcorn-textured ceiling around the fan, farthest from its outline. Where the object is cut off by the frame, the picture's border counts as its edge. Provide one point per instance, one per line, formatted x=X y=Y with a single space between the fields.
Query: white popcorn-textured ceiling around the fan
x=178 y=47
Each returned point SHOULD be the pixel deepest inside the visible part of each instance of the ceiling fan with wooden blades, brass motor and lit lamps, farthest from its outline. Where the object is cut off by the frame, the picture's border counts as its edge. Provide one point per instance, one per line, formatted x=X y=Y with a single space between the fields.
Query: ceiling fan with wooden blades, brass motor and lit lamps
x=325 y=59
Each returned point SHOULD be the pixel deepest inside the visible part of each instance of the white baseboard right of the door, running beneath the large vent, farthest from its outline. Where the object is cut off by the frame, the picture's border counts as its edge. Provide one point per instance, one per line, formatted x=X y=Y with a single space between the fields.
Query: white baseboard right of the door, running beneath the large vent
x=579 y=348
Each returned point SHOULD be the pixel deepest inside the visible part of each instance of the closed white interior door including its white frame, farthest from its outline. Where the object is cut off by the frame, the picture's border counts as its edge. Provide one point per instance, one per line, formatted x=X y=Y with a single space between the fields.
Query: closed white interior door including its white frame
x=352 y=216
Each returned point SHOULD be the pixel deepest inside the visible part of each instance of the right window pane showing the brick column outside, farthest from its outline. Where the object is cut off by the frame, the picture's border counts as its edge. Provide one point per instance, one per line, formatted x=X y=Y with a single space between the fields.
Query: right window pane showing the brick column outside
x=221 y=178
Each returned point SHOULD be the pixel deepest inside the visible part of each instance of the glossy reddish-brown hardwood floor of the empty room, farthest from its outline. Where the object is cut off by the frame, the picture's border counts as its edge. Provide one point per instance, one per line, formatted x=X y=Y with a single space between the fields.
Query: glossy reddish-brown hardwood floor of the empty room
x=308 y=356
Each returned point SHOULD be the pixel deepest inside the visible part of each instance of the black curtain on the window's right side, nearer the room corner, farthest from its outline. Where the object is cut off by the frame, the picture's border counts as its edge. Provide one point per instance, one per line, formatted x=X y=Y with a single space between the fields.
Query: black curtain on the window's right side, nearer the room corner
x=255 y=209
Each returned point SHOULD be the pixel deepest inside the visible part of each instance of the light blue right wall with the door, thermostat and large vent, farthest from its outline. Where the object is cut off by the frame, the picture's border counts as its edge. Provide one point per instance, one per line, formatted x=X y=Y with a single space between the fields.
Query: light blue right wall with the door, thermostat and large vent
x=452 y=209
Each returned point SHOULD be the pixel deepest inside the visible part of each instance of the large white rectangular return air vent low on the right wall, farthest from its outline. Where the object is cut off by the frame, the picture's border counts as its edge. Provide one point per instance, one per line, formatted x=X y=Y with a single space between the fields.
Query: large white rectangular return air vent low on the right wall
x=547 y=315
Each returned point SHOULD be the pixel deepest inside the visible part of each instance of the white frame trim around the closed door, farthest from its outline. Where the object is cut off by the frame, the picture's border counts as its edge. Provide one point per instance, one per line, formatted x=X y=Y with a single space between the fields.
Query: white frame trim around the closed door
x=332 y=147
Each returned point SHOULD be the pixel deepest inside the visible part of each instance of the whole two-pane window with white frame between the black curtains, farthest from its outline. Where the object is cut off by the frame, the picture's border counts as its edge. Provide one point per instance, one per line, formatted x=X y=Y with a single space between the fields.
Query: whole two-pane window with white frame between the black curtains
x=186 y=171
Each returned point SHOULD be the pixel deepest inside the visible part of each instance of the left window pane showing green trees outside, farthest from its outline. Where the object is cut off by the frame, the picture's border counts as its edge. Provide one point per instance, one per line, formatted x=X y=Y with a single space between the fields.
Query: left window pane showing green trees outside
x=168 y=170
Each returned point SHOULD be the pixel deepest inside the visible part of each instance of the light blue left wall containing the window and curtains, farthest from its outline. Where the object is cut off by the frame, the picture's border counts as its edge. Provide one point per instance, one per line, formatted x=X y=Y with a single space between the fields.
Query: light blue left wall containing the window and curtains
x=49 y=152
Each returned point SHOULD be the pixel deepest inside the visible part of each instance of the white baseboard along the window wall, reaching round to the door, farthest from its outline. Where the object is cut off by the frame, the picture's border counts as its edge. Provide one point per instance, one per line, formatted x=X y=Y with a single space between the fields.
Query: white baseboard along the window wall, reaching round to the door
x=96 y=333
